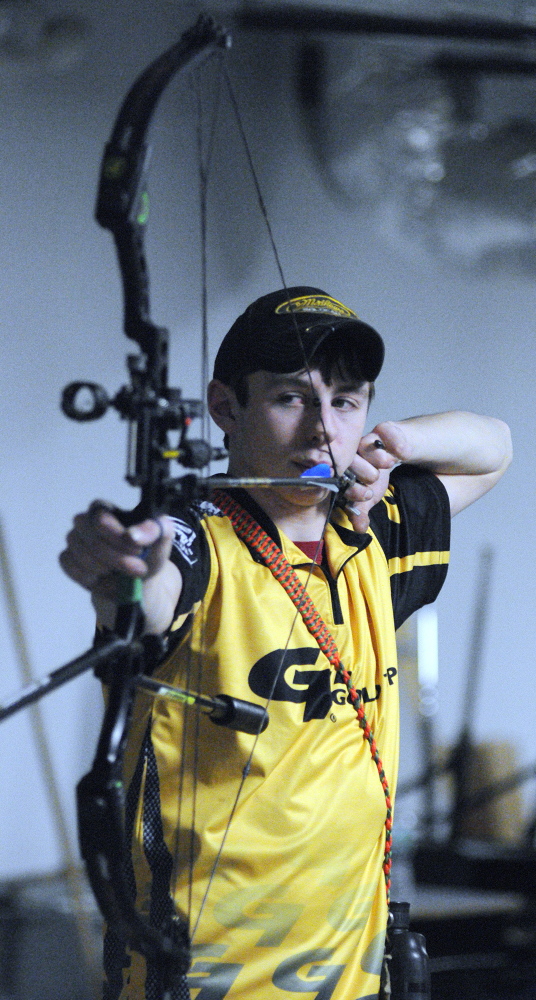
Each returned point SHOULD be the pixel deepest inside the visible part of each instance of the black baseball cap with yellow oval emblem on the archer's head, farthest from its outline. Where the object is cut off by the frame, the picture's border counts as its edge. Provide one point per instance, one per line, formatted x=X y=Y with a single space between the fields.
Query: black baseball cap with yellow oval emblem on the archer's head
x=277 y=330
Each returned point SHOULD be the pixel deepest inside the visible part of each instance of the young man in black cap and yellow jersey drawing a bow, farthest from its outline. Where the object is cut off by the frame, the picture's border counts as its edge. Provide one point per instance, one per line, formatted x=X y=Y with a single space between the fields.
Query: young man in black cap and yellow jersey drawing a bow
x=289 y=896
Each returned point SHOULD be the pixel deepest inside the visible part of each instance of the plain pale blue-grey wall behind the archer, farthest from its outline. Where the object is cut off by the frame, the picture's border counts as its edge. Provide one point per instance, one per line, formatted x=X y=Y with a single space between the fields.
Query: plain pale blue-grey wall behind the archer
x=452 y=341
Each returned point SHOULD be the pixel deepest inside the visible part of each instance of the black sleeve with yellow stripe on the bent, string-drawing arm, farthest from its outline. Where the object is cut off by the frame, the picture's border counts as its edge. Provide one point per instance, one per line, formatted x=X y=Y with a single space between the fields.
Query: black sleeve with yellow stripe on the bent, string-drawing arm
x=412 y=524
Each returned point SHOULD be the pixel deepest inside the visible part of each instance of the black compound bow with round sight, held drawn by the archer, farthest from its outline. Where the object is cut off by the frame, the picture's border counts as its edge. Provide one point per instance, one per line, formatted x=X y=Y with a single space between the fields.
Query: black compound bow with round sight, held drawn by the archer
x=153 y=409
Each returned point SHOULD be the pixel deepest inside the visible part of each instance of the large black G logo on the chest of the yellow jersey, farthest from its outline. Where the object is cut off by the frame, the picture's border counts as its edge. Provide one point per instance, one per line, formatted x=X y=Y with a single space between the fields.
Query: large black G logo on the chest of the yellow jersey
x=281 y=676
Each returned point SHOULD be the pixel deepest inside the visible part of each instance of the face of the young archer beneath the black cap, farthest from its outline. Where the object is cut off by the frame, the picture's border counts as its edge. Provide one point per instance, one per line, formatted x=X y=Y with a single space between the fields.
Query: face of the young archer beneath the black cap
x=292 y=422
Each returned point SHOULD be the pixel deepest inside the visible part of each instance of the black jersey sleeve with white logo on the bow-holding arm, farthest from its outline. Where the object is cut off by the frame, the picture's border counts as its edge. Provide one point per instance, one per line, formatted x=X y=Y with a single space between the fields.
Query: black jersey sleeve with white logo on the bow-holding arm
x=191 y=555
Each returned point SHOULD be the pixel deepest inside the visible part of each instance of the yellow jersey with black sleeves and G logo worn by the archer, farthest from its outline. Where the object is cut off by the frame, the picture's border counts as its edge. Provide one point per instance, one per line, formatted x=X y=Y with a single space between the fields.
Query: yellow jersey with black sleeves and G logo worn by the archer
x=273 y=844
